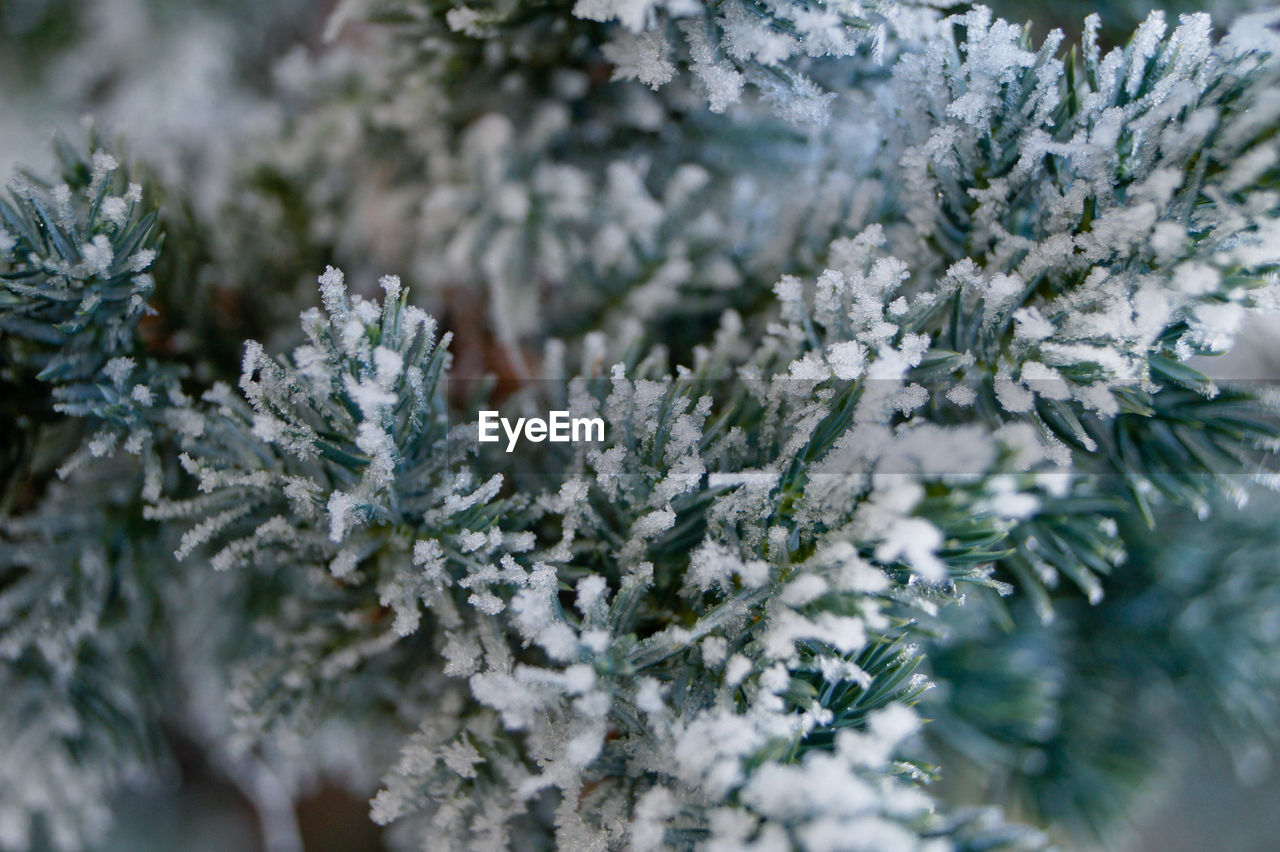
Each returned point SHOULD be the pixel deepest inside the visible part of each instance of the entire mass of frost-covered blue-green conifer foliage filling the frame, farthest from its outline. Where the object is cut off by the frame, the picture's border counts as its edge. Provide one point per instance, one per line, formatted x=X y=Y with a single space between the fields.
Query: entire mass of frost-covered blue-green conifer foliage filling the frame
x=842 y=496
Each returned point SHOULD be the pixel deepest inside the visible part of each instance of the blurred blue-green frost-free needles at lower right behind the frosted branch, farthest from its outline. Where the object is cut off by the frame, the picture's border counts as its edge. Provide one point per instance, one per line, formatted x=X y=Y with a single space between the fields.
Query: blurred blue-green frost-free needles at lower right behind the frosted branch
x=1064 y=718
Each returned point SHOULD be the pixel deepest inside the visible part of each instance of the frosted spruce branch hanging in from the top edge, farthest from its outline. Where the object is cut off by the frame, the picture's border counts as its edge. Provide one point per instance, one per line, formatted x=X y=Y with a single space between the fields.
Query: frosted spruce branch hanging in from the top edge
x=728 y=48
